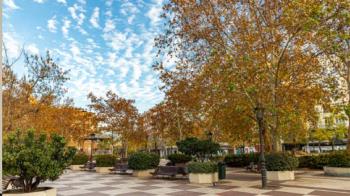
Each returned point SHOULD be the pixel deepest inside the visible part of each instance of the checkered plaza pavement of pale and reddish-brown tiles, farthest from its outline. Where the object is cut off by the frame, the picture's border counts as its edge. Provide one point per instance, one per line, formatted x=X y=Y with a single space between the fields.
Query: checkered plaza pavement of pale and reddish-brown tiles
x=238 y=183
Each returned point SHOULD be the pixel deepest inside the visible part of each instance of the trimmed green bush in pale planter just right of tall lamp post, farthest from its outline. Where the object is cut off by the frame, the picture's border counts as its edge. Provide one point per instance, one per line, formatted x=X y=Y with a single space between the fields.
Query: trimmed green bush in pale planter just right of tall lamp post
x=281 y=162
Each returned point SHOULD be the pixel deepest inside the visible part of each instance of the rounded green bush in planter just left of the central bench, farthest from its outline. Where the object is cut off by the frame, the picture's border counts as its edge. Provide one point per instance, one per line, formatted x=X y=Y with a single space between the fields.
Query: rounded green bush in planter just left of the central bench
x=143 y=161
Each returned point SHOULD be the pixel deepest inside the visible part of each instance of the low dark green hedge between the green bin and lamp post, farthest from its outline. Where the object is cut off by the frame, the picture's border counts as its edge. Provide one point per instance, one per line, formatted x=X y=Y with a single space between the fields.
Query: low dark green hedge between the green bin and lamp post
x=241 y=160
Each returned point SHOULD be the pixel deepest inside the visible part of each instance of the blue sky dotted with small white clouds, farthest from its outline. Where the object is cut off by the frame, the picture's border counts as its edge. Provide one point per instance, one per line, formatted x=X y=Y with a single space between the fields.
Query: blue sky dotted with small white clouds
x=106 y=44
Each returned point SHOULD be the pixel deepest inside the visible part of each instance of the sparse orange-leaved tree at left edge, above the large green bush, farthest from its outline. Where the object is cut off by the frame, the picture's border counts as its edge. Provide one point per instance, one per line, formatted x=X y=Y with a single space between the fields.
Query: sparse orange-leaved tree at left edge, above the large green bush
x=27 y=95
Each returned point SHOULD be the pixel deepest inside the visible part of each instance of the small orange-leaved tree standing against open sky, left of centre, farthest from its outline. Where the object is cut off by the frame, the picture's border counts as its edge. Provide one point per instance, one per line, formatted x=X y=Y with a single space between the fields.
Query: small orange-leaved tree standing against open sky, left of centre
x=116 y=114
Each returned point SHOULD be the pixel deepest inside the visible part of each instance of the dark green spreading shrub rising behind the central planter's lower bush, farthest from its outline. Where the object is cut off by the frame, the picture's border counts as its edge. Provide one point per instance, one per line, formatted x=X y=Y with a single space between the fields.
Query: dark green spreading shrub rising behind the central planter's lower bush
x=199 y=148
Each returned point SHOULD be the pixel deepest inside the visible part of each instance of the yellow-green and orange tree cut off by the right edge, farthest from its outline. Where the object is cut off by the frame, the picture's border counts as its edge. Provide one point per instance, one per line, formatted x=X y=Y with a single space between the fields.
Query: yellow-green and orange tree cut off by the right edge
x=333 y=39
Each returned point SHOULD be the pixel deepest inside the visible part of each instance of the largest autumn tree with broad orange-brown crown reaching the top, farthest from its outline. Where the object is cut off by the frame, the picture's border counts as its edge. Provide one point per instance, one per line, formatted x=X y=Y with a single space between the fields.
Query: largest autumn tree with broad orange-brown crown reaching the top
x=256 y=53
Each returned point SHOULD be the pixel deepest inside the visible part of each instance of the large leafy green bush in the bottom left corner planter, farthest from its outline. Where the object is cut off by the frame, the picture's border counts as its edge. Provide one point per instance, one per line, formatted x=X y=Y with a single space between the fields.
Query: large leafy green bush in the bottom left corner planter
x=35 y=158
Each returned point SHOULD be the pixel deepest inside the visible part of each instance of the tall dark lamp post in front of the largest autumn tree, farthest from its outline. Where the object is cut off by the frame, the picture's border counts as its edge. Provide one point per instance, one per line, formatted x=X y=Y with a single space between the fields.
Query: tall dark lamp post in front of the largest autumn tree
x=259 y=111
